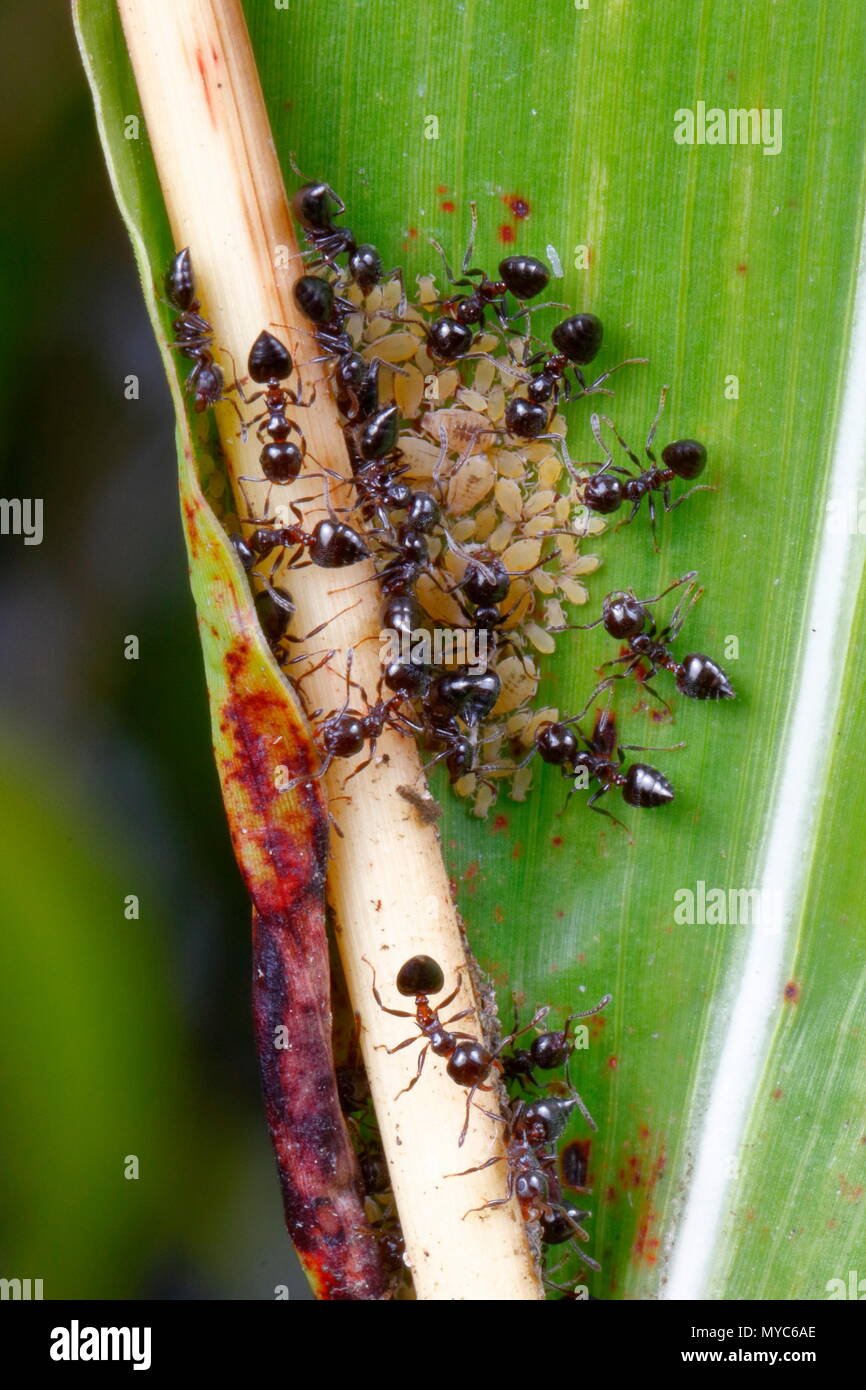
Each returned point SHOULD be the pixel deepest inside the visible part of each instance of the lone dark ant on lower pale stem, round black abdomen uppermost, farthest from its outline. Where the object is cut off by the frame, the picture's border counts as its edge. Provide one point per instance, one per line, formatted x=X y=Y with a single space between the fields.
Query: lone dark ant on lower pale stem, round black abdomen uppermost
x=469 y=1061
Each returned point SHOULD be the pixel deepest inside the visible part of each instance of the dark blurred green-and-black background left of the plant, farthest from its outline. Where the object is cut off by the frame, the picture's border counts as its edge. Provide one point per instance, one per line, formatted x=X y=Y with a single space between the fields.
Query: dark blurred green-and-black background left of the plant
x=134 y=1159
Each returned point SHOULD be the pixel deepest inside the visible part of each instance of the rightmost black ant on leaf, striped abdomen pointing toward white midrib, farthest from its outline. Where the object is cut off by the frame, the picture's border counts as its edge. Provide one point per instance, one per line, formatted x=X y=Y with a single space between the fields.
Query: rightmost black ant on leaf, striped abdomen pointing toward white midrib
x=628 y=619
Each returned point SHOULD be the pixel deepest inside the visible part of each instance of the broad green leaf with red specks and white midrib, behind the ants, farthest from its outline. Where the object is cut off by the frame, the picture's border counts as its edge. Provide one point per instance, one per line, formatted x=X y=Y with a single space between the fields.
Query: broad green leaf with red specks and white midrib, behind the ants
x=729 y=1160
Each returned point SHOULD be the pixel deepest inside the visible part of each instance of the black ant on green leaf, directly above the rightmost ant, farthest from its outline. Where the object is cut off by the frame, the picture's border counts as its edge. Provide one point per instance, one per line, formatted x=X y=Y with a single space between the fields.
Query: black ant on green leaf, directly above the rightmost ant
x=682 y=459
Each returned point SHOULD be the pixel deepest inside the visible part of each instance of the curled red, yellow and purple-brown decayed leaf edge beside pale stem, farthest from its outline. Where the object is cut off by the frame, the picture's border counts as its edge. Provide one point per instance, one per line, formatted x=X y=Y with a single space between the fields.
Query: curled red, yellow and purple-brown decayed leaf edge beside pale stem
x=262 y=743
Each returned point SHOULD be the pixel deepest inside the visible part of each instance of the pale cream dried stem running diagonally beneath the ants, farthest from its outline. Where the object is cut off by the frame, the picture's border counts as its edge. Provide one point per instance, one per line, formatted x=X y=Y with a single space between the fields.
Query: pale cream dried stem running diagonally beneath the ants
x=387 y=882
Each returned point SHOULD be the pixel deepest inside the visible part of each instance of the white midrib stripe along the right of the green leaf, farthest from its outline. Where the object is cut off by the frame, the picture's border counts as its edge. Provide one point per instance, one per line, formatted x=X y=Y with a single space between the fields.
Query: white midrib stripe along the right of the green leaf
x=789 y=842
